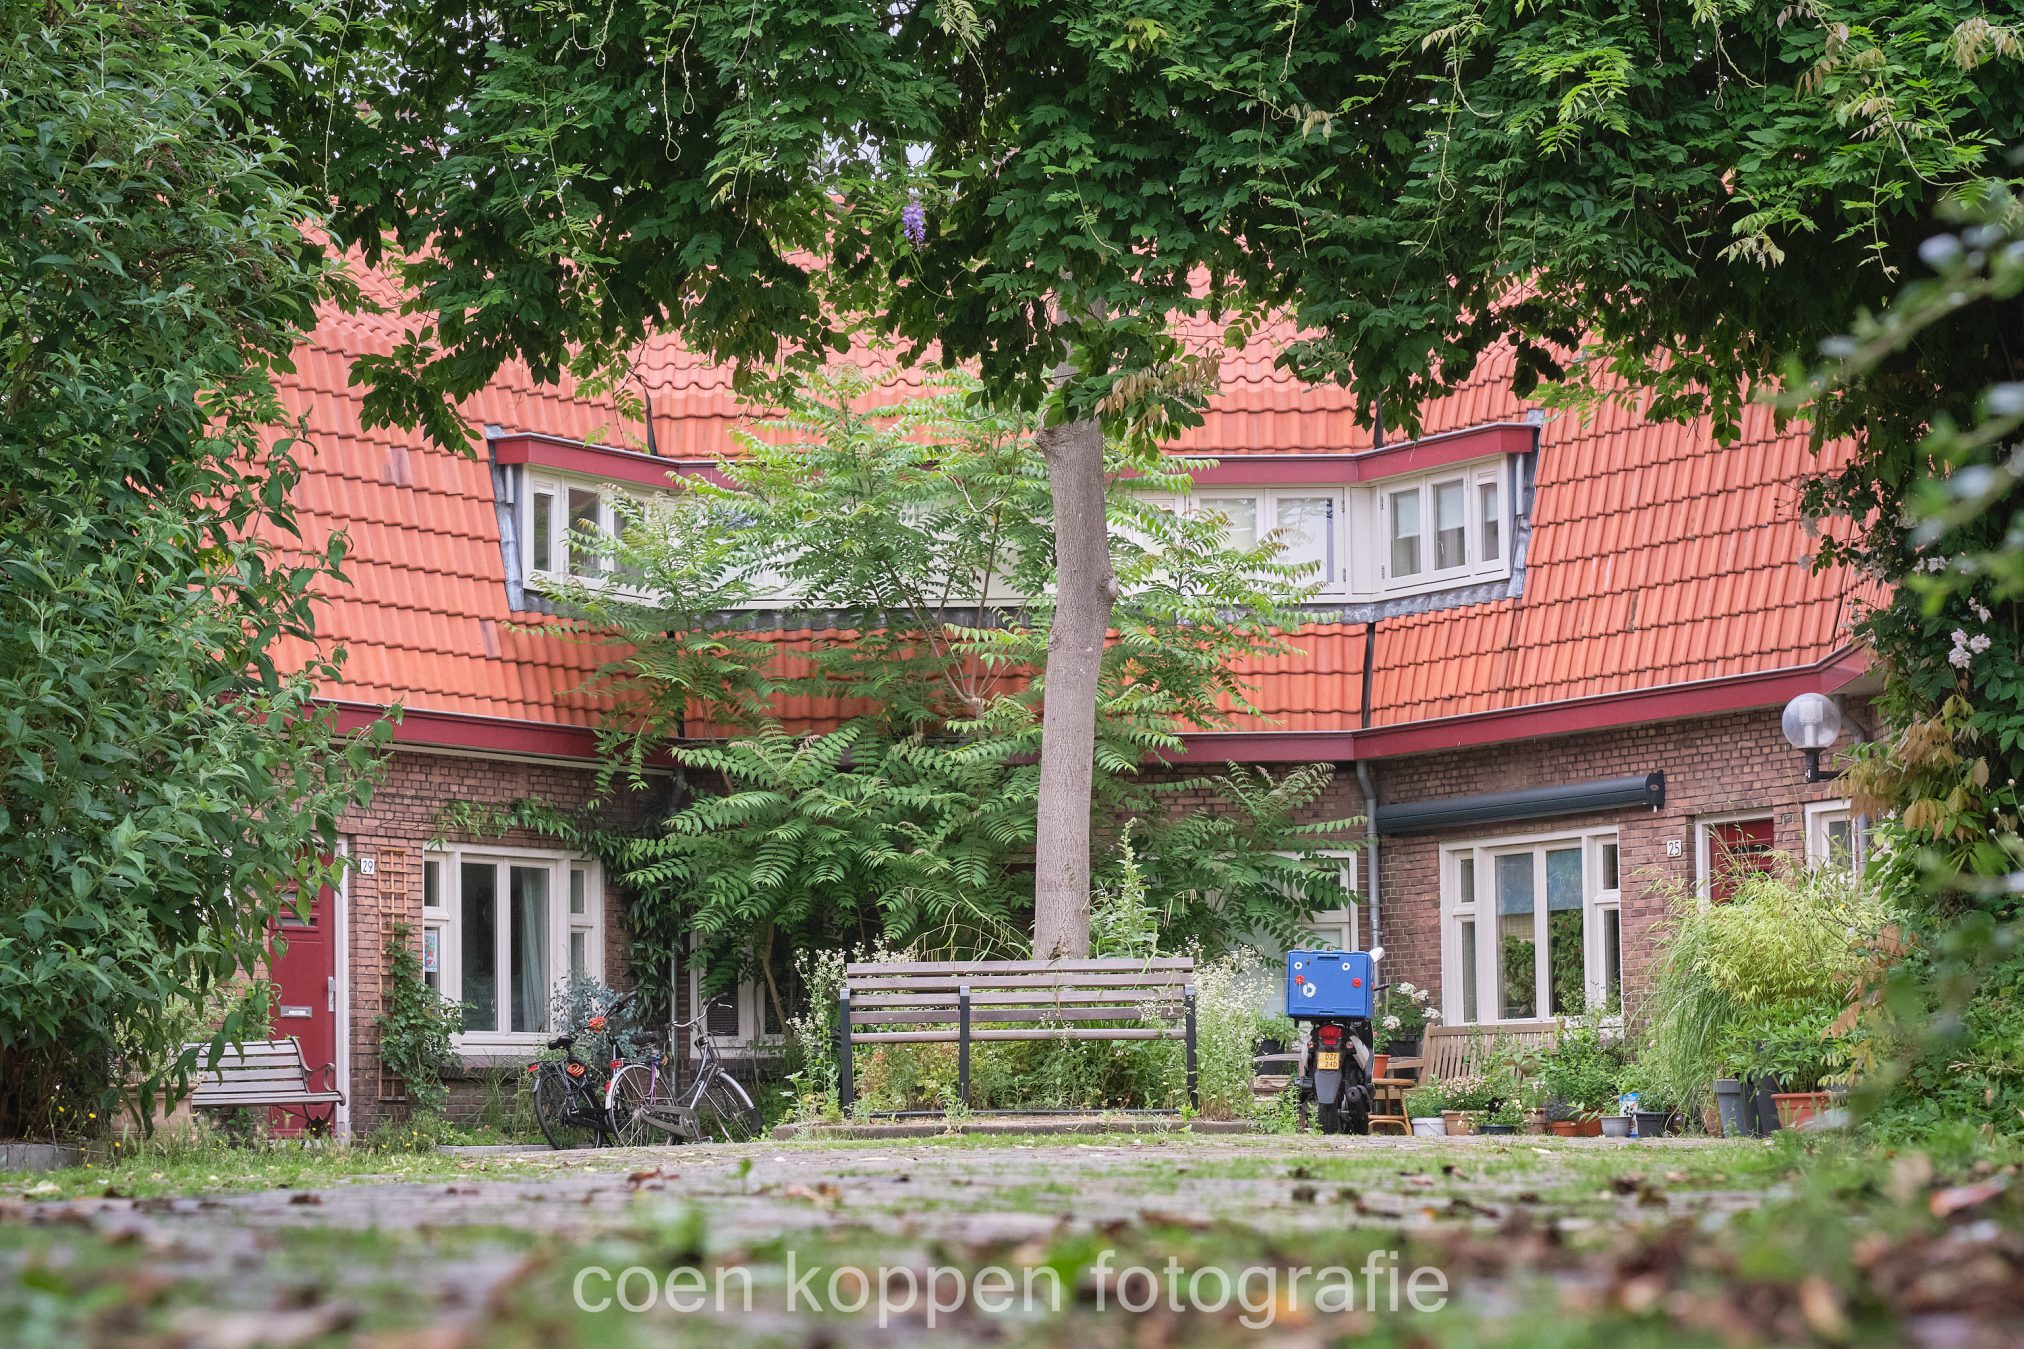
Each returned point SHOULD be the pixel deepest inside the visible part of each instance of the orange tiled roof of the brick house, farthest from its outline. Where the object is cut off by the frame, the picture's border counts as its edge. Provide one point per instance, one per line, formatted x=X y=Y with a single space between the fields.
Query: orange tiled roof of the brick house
x=1657 y=557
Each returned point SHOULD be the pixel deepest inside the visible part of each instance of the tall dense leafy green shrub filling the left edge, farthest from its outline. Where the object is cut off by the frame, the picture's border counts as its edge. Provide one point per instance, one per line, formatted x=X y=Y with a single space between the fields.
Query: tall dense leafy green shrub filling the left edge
x=163 y=784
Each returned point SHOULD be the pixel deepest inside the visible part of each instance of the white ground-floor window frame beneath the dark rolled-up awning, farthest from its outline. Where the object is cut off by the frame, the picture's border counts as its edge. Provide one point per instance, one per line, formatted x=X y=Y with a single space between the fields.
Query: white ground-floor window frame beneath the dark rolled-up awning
x=1481 y=909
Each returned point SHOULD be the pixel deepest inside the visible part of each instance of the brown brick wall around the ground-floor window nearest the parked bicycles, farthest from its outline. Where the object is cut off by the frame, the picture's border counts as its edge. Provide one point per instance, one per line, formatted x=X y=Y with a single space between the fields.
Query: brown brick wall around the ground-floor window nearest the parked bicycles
x=394 y=830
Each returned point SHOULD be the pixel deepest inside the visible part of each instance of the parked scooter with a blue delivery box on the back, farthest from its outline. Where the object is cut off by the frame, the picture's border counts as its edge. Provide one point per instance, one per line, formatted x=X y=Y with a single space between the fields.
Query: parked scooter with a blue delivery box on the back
x=1335 y=992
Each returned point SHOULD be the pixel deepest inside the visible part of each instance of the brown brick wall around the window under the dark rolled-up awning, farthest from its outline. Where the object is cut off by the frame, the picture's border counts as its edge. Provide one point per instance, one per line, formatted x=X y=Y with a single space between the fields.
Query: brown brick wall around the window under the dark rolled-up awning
x=1713 y=768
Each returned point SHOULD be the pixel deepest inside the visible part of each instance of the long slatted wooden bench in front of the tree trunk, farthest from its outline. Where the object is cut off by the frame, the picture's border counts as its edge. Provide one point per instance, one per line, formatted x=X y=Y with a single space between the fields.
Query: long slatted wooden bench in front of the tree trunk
x=968 y=1002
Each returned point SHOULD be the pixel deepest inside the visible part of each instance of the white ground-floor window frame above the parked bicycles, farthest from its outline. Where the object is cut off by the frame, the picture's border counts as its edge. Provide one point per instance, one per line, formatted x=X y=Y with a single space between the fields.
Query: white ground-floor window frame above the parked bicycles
x=446 y=919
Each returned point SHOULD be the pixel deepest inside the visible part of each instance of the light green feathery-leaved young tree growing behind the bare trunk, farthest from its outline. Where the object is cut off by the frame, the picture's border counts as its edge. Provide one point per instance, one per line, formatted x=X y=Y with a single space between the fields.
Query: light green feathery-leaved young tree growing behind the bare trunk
x=910 y=525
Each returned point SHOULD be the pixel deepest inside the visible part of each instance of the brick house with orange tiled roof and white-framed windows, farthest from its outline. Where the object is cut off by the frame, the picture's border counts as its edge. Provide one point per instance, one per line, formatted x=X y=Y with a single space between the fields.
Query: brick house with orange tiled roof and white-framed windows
x=1551 y=652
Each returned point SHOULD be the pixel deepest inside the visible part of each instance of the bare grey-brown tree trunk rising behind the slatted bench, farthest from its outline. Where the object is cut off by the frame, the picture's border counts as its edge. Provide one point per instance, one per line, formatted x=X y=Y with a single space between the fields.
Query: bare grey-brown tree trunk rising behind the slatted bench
x=1084 y=594
